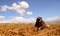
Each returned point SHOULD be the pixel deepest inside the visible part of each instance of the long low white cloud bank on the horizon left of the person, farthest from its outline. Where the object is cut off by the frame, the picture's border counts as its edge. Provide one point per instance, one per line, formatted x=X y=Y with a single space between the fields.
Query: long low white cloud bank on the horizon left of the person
x=19 y=20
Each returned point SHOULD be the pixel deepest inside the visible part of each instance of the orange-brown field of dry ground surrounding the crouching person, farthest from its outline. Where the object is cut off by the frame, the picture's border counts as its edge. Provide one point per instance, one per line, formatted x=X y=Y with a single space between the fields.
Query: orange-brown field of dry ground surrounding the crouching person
x=11 y=29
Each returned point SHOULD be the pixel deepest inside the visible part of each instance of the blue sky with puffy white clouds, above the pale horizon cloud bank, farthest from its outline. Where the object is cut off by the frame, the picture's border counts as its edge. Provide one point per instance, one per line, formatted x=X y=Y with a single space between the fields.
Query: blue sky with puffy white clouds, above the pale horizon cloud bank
x=29 y=8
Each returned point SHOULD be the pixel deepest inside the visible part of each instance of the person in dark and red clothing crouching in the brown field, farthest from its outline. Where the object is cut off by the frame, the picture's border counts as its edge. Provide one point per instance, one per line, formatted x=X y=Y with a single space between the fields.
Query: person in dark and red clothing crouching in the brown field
x=39 y=24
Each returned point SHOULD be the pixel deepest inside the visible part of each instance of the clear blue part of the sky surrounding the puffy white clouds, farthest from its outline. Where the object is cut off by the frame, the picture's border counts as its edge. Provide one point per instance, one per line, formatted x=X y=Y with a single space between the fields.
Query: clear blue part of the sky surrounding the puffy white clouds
x=43 y=8
